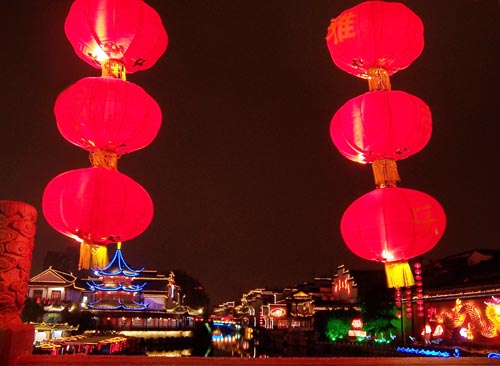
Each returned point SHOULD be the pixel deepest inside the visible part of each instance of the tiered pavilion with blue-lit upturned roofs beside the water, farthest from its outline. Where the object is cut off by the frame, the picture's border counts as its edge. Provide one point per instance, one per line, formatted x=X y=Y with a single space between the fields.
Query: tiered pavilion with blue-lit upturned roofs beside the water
x=124 y=299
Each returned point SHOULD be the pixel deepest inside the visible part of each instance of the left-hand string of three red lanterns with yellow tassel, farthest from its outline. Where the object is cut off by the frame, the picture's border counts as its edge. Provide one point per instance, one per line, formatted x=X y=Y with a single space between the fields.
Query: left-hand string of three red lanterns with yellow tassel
x=107 y=116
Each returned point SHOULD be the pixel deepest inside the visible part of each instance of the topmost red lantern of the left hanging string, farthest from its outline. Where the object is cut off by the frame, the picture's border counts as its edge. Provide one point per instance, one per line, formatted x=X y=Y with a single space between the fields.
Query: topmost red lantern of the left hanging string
x=129 y=31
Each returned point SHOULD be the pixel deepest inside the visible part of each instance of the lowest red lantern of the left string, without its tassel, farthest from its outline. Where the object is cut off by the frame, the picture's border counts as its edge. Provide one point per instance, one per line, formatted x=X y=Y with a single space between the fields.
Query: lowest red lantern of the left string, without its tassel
x=97 y=205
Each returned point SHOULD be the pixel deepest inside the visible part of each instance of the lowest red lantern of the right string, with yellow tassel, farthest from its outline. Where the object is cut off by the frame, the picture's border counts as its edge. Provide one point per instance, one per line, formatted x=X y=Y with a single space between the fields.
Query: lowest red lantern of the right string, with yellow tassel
x=392 y=225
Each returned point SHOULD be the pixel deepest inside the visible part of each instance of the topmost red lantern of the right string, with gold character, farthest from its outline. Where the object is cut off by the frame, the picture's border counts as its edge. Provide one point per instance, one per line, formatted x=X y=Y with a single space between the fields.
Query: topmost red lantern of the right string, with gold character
x=375 y=34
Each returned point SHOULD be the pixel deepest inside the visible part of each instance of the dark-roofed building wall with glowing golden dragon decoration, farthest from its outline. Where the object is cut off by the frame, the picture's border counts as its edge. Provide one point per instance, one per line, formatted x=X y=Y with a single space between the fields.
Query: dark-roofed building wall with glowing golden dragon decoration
x=462 y=300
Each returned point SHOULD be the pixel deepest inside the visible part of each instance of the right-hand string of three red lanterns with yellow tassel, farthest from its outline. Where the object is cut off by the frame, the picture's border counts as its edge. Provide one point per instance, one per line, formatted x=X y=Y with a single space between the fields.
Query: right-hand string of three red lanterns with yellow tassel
x=373 y=40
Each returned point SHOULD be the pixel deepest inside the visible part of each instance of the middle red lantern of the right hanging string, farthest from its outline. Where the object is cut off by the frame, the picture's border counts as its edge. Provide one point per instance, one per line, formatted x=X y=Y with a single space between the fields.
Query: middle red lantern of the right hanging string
x=381 y=125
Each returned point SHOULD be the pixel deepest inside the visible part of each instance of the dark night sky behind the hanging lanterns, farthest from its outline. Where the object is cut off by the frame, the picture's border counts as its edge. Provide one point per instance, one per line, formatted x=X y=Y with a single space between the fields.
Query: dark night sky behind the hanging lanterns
x=247 y=185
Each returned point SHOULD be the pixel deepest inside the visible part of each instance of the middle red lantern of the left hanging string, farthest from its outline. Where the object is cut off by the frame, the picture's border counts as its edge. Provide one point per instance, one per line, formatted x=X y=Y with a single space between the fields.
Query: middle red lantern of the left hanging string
x=107 y=113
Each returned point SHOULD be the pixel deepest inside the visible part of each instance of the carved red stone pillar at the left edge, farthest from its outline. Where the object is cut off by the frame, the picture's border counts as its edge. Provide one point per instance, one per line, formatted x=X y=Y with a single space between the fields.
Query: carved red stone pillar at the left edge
x=17 y=233
